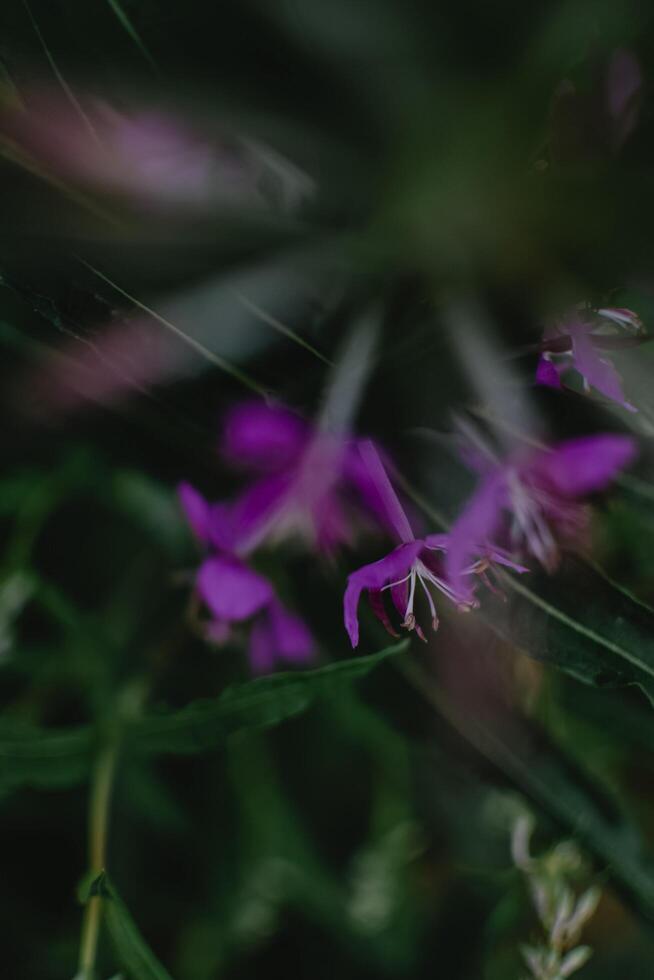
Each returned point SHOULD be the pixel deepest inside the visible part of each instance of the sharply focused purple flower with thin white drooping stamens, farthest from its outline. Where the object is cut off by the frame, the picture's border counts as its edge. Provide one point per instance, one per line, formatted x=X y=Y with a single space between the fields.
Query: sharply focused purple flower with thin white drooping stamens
x=414 y=562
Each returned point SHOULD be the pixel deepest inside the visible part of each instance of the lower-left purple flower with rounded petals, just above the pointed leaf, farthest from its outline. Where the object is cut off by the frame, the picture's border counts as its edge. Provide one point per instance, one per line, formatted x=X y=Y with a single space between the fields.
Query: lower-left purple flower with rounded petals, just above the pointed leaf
x=234 y=593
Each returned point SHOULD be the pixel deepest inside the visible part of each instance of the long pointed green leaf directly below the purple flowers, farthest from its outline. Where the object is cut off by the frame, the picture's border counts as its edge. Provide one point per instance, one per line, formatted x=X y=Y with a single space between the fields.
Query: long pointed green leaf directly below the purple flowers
x=256 y=704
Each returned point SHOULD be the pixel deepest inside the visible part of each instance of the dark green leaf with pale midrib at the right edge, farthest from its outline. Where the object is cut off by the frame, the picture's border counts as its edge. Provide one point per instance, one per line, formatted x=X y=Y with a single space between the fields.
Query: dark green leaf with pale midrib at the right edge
x=580 y=622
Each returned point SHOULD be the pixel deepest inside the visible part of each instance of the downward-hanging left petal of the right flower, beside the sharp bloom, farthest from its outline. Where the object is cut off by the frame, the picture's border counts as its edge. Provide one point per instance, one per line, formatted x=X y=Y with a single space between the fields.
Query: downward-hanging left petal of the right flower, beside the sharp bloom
x=475 y=528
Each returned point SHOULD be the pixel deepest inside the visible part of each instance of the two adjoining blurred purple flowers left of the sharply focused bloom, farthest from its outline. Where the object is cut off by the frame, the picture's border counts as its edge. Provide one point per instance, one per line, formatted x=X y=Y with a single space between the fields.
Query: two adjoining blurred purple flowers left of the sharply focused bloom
x=306 y=484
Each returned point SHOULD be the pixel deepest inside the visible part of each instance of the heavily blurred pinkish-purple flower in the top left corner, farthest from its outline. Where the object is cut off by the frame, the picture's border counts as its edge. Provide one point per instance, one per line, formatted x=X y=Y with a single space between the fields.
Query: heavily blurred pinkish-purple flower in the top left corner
x=152 y=156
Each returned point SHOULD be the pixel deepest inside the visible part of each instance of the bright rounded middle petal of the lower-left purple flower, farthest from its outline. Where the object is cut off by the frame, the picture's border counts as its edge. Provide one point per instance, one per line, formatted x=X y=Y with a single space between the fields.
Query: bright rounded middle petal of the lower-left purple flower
x=231 y=590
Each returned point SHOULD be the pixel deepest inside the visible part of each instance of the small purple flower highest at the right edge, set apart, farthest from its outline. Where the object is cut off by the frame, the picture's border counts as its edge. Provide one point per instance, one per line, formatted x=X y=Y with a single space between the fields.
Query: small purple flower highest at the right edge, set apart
x=574 y=343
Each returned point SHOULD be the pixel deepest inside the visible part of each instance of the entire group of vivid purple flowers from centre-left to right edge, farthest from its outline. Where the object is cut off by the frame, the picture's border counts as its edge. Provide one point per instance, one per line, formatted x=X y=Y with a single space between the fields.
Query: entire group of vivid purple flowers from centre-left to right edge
x=309 y=483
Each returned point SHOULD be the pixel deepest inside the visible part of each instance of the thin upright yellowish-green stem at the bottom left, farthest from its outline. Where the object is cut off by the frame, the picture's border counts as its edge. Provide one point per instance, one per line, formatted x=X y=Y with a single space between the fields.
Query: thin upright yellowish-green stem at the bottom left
x=100 y=802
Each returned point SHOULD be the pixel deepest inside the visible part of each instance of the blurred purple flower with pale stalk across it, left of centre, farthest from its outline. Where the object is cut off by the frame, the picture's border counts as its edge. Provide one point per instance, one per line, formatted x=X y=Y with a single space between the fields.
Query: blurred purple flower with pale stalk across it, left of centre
x=309 y=481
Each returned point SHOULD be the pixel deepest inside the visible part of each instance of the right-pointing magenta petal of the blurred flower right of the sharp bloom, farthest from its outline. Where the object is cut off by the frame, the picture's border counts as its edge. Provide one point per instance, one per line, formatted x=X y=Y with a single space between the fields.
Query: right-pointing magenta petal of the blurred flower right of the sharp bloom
x=581 y=466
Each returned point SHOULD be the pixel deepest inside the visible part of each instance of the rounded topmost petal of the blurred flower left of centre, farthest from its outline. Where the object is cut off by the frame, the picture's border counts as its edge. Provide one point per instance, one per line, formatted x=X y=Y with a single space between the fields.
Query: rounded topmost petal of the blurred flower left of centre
x=264 y=437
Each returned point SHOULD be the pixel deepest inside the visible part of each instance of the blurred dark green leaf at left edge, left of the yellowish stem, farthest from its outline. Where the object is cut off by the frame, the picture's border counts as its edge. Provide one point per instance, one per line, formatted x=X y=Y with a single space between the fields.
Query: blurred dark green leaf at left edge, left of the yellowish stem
x=41 y=758
